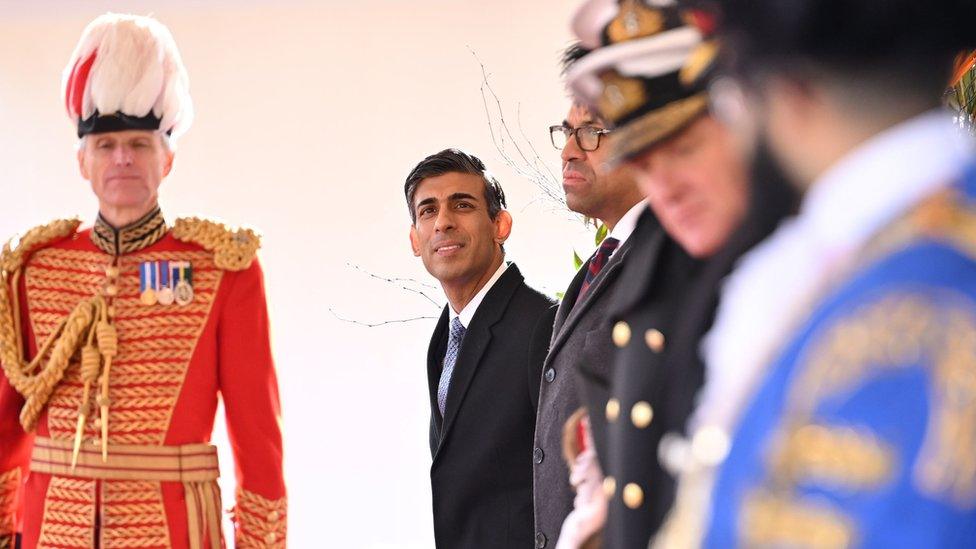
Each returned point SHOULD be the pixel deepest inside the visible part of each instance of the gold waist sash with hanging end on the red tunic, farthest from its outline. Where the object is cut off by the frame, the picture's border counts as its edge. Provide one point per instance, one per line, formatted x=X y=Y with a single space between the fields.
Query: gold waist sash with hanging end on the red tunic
x=195 y=465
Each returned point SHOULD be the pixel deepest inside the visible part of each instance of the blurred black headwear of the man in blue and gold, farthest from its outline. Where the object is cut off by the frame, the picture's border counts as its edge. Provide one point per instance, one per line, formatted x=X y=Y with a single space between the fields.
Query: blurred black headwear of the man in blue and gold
x=907 y=42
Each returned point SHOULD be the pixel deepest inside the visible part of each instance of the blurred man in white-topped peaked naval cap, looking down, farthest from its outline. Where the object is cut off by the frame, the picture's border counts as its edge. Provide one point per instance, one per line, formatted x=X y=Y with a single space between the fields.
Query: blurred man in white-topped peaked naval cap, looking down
x=648 y=76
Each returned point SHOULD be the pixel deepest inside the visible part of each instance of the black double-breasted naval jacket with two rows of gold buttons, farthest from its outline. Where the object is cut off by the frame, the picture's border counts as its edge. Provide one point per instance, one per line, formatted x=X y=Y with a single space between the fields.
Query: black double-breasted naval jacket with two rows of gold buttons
x=648 y=394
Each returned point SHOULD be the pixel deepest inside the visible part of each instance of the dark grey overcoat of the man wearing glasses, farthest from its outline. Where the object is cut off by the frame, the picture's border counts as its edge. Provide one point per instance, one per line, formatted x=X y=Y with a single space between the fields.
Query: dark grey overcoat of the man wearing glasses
x=581 y=335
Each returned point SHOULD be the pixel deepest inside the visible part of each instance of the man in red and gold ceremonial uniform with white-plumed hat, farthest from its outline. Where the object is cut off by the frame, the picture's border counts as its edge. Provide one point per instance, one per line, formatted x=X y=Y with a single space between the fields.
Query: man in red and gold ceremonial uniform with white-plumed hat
x=116 y=340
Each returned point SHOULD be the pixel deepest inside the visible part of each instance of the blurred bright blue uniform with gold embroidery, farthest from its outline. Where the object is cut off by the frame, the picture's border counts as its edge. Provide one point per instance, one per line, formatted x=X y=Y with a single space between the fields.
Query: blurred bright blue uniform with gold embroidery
x=864 y=431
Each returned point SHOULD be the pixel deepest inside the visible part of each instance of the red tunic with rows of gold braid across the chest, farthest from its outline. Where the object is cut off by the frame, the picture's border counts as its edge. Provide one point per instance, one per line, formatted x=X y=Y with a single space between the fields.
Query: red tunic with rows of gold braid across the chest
x=172 y=363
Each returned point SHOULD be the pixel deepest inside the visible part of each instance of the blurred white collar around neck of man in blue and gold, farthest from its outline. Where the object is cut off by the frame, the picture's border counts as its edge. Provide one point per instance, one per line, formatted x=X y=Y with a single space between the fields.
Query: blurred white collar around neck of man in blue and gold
x=882 y=179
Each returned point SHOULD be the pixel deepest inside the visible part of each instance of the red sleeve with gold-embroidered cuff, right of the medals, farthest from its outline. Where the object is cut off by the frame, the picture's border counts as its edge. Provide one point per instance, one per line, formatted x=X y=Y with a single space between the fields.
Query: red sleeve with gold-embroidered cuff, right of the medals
x=250 y=392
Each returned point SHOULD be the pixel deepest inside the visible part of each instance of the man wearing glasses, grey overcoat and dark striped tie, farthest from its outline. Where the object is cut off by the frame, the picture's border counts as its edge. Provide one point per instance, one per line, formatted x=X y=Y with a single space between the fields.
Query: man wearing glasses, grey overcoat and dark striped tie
x=581 y=334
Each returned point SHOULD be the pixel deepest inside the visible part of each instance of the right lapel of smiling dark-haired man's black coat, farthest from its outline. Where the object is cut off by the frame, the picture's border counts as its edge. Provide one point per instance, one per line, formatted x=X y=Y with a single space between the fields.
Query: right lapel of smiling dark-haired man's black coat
x=476 y=340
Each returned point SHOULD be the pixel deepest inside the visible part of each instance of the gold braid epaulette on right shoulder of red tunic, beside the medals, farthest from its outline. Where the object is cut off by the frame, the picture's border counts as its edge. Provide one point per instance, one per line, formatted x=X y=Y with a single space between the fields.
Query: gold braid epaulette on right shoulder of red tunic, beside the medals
x=233 y=249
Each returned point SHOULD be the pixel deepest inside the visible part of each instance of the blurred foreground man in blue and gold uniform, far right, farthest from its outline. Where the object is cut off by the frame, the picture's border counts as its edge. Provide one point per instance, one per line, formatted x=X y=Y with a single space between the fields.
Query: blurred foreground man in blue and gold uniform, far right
x=834 y=406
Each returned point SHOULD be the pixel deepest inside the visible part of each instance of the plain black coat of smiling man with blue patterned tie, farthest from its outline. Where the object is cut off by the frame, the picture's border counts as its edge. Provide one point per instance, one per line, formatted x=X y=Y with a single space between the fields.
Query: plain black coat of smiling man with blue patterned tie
x=481 y=475
